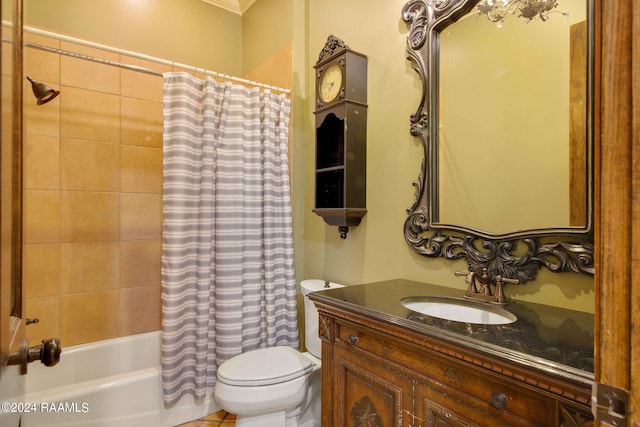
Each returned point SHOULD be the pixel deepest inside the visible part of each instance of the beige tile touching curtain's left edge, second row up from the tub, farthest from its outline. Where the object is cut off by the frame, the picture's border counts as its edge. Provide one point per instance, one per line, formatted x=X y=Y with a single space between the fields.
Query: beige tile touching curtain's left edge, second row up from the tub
x=140 y=263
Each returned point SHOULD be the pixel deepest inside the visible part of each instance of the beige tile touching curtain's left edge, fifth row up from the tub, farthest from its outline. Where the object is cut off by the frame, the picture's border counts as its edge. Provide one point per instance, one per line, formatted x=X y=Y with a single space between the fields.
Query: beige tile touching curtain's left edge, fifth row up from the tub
x=141 y=122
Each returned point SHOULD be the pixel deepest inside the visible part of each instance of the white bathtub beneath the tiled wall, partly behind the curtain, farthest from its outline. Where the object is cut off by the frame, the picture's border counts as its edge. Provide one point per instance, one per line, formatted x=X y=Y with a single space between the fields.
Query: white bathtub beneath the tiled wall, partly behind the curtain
x=111 y=383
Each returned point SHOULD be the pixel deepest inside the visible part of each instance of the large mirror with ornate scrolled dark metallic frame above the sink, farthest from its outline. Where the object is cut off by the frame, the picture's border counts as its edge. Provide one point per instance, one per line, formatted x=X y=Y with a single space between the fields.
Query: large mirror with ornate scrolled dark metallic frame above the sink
x=506 y=124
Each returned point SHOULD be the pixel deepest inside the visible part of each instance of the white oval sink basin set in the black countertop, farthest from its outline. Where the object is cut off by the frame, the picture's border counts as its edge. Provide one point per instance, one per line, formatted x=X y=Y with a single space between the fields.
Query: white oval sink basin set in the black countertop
x=459 y=310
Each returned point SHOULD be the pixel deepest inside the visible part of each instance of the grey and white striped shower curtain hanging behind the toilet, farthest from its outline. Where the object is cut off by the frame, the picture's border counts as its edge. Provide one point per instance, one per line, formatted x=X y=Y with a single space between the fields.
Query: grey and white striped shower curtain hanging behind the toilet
x=228 y=282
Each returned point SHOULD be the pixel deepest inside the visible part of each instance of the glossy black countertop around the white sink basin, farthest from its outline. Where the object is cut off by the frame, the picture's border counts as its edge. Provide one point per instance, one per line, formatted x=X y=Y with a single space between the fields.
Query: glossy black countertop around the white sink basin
x=551 y=338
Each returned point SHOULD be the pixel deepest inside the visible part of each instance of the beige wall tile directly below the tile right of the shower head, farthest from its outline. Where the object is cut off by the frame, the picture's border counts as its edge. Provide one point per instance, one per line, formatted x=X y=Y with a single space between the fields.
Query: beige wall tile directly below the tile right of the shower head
x=89 y=165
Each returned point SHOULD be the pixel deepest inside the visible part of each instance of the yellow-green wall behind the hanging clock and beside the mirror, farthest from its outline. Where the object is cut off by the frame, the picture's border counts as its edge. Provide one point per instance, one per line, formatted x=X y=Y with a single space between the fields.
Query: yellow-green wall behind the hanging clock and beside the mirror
x=376 y=249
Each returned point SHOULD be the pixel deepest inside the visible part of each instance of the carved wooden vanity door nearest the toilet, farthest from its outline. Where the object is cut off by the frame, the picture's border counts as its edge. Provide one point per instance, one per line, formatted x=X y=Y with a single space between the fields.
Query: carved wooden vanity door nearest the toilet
x=368 y=394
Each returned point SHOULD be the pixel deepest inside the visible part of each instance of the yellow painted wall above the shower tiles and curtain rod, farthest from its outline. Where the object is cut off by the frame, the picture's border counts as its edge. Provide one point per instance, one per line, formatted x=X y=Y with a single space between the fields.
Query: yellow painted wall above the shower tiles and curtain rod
x=186 y=31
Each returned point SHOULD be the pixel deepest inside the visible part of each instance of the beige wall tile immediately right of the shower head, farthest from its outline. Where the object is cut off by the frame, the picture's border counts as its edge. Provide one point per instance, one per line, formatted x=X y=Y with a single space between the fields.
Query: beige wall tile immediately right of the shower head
x=91 y=115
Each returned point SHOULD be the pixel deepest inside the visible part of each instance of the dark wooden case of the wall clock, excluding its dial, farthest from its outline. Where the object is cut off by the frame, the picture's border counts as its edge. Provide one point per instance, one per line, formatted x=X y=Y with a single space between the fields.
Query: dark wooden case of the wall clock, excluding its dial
x=341 y=140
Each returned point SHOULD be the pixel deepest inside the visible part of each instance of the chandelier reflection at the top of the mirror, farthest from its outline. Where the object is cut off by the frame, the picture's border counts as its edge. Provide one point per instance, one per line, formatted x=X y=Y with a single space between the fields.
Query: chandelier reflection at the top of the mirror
x=497 y=10
